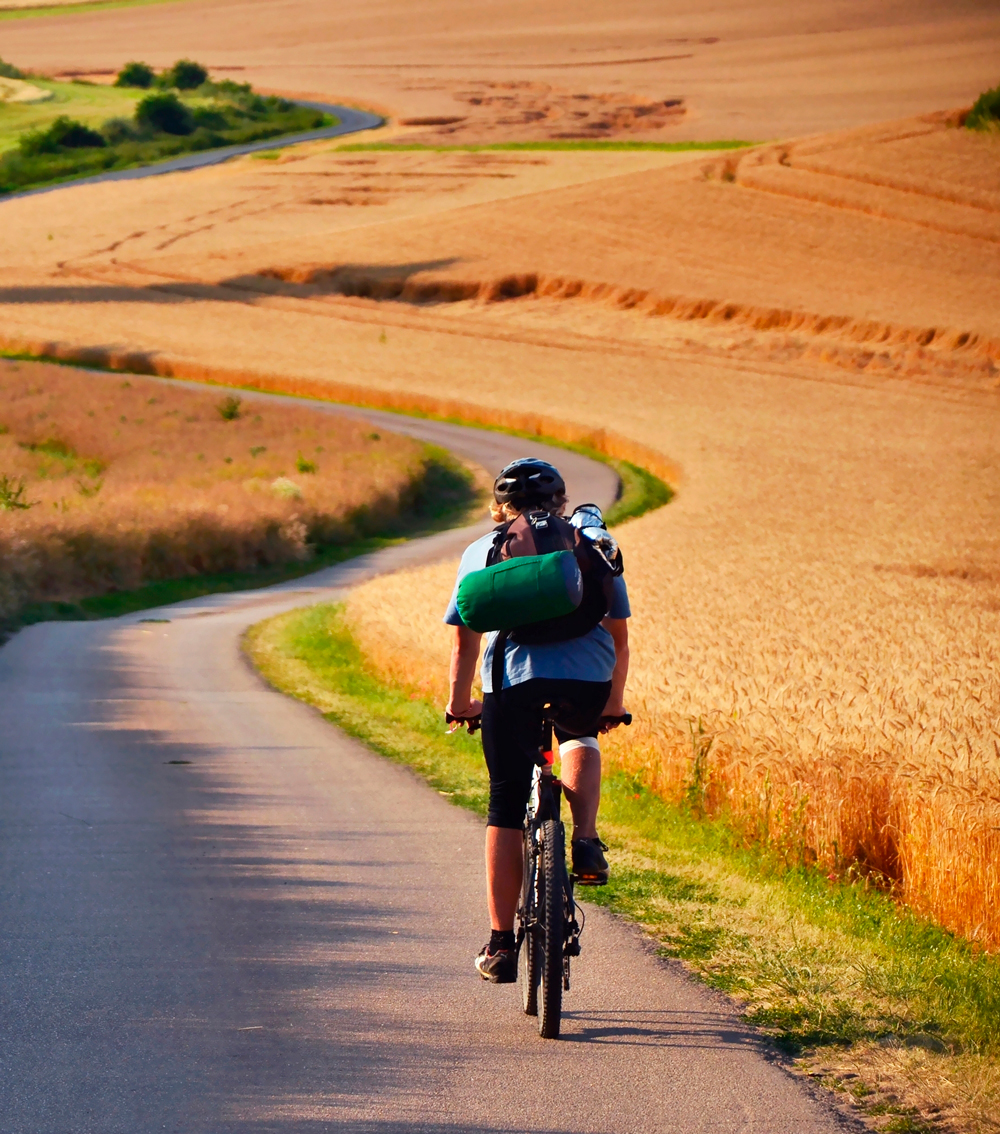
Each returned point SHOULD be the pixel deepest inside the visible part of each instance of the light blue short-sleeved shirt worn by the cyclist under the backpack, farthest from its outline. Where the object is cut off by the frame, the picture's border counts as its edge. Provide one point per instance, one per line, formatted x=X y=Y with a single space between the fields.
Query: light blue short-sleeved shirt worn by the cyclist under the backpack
x=590 y=658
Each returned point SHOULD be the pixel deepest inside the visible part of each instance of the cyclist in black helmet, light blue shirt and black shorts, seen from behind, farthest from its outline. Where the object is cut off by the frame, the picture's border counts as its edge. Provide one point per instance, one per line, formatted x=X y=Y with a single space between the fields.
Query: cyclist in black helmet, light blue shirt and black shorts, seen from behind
x=582 y=680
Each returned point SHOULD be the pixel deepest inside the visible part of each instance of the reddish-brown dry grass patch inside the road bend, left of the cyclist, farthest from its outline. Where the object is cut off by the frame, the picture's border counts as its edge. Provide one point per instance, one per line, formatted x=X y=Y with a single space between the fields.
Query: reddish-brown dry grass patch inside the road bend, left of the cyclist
x=112 y=484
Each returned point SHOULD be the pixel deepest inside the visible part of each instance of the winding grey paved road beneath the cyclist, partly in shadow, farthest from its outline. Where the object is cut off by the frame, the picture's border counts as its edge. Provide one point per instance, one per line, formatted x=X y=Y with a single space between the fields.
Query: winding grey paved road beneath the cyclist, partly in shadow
x=221 y=915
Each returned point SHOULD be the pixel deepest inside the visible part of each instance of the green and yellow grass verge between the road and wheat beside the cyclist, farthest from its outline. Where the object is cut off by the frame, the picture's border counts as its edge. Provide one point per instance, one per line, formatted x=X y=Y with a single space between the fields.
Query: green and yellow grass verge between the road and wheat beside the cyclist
x=900 y=1017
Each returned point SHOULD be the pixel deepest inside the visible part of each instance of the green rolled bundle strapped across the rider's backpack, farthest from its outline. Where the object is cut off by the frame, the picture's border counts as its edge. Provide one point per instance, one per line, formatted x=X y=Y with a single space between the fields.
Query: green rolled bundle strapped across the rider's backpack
x=527 y=589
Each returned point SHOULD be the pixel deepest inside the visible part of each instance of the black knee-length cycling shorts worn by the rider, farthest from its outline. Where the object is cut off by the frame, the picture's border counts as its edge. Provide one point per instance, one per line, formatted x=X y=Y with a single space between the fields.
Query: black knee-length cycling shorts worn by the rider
x=513 y=727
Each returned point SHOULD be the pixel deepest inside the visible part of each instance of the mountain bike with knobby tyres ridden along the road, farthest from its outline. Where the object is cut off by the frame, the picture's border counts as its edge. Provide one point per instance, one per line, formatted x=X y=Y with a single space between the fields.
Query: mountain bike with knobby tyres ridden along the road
x=548 y=930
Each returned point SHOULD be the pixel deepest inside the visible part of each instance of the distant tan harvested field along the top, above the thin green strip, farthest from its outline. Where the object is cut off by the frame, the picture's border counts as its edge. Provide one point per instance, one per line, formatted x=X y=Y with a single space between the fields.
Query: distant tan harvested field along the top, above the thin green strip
x=770 y=71
